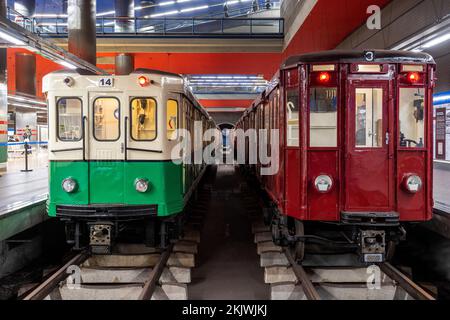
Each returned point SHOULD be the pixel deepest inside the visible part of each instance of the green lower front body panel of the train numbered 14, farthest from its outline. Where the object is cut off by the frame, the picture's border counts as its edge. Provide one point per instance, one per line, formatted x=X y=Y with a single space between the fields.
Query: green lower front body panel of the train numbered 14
x=112 y=183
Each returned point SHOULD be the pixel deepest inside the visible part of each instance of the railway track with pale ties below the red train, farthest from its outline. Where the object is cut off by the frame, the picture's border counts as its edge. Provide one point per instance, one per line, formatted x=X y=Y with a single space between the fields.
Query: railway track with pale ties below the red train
x=291 y=281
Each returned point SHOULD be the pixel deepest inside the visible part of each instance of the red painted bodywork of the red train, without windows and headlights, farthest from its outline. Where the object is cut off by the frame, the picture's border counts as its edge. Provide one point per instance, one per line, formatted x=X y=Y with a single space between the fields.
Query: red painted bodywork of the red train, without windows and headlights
x=365 y=179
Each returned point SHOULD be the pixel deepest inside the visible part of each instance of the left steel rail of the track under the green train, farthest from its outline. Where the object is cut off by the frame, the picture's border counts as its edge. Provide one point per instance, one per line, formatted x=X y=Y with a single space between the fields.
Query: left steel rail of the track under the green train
x=46 y=287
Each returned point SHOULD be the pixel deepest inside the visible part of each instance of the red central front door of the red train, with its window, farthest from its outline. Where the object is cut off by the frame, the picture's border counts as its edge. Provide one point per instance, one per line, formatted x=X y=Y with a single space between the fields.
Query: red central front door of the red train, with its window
x=368 y=155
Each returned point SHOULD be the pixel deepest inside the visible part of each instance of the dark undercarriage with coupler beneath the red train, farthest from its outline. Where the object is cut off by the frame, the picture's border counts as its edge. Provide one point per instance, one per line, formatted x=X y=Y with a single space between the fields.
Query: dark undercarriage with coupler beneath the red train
x=374 y=243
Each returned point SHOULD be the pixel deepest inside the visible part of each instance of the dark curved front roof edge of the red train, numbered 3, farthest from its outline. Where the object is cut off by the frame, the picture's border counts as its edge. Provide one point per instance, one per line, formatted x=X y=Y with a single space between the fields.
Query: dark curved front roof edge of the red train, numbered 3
x=346 y=56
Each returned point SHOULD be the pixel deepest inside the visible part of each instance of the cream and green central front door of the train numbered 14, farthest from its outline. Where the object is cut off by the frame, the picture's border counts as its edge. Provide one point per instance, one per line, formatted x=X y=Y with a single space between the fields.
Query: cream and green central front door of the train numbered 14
x=106 y=150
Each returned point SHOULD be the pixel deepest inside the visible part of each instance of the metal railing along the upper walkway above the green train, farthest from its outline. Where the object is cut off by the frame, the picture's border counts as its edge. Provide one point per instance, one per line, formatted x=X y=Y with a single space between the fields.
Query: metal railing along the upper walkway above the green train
x=159 y=27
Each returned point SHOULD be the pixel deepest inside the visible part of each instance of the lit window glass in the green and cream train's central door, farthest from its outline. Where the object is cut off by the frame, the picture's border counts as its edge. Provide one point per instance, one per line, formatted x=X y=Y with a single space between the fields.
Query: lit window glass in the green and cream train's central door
x=106 y=119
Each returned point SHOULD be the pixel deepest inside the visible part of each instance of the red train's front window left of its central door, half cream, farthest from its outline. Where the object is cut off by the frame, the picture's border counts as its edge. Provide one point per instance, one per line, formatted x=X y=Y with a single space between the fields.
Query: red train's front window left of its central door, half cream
x=323 y=117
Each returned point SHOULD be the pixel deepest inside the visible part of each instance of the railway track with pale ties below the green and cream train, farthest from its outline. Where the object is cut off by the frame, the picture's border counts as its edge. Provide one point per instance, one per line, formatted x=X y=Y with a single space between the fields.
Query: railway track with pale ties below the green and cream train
x=133 y=273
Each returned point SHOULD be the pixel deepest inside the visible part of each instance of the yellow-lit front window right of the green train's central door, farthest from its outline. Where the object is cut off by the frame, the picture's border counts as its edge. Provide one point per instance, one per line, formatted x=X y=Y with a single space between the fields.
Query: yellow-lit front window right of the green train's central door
x=143 y=119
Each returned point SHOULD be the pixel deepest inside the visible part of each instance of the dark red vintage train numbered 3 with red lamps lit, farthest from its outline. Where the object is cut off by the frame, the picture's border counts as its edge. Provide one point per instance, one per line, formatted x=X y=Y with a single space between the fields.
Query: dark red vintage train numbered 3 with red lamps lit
x=355 y=149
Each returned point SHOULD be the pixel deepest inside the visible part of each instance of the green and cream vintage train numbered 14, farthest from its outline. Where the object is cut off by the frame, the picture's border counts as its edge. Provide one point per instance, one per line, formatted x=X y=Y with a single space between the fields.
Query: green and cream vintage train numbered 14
x=110 y=146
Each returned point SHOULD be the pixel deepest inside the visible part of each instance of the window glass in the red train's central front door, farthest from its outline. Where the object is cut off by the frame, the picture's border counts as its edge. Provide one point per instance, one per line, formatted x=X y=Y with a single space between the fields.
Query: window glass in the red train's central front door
x=369 y=118
